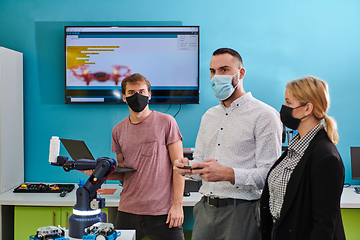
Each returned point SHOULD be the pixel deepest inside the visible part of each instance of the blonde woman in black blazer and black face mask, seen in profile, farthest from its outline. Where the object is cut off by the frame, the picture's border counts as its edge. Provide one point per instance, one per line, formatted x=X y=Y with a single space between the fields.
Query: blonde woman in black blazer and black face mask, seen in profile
x=301 y=197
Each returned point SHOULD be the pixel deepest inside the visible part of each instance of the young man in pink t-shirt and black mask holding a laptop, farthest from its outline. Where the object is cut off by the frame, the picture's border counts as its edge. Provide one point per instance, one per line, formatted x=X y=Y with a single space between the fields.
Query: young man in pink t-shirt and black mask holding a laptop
x=148 y=141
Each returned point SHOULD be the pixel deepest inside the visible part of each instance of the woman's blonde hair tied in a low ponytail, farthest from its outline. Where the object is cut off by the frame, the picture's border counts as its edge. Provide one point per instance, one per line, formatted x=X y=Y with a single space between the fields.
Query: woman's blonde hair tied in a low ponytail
x=314 y=90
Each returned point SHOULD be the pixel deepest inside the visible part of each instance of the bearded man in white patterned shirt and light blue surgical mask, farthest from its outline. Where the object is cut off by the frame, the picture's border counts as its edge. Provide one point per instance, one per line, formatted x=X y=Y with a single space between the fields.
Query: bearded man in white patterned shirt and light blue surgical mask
x=238 y=141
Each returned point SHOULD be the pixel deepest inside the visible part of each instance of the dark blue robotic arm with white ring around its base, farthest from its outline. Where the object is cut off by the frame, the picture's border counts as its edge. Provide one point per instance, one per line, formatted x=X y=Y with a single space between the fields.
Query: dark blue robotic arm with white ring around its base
x=87 y=209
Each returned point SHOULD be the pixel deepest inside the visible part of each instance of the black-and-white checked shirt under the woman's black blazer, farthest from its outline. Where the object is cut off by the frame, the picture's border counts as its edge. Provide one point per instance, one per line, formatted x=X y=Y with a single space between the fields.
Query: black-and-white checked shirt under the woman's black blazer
x=280 y=175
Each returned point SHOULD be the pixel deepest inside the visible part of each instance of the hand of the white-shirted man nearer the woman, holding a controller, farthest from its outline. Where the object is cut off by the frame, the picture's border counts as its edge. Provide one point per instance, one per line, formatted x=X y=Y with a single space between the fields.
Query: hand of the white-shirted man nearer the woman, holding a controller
x=211 y=171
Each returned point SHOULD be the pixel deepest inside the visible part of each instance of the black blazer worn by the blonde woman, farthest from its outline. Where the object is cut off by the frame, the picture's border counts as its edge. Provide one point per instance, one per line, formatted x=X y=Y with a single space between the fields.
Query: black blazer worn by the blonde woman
x=311 y=208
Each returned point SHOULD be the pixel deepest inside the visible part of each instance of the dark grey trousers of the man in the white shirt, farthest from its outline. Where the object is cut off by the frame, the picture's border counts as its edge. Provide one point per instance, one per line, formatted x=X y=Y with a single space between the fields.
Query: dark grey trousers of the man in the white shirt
x=232 y=222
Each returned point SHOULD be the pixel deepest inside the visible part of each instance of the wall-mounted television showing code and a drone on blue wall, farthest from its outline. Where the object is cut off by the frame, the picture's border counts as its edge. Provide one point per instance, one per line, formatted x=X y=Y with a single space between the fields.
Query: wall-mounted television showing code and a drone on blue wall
x=98 y=58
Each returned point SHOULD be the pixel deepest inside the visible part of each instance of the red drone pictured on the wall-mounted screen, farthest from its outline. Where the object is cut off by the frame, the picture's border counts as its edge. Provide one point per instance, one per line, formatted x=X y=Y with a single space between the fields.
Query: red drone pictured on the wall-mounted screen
x=86 y=76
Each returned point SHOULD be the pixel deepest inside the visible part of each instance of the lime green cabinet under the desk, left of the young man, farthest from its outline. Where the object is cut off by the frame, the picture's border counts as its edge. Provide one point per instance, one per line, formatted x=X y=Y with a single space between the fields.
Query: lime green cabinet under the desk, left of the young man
x=28 y=219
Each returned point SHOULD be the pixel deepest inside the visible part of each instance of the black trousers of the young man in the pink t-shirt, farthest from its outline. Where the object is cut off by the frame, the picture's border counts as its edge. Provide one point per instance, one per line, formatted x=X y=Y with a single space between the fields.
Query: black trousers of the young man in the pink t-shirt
x=154 y=227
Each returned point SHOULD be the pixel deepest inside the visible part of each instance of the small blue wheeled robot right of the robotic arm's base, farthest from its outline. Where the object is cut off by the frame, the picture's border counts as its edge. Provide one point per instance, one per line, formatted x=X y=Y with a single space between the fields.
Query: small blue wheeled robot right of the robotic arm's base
x=101 y=231
